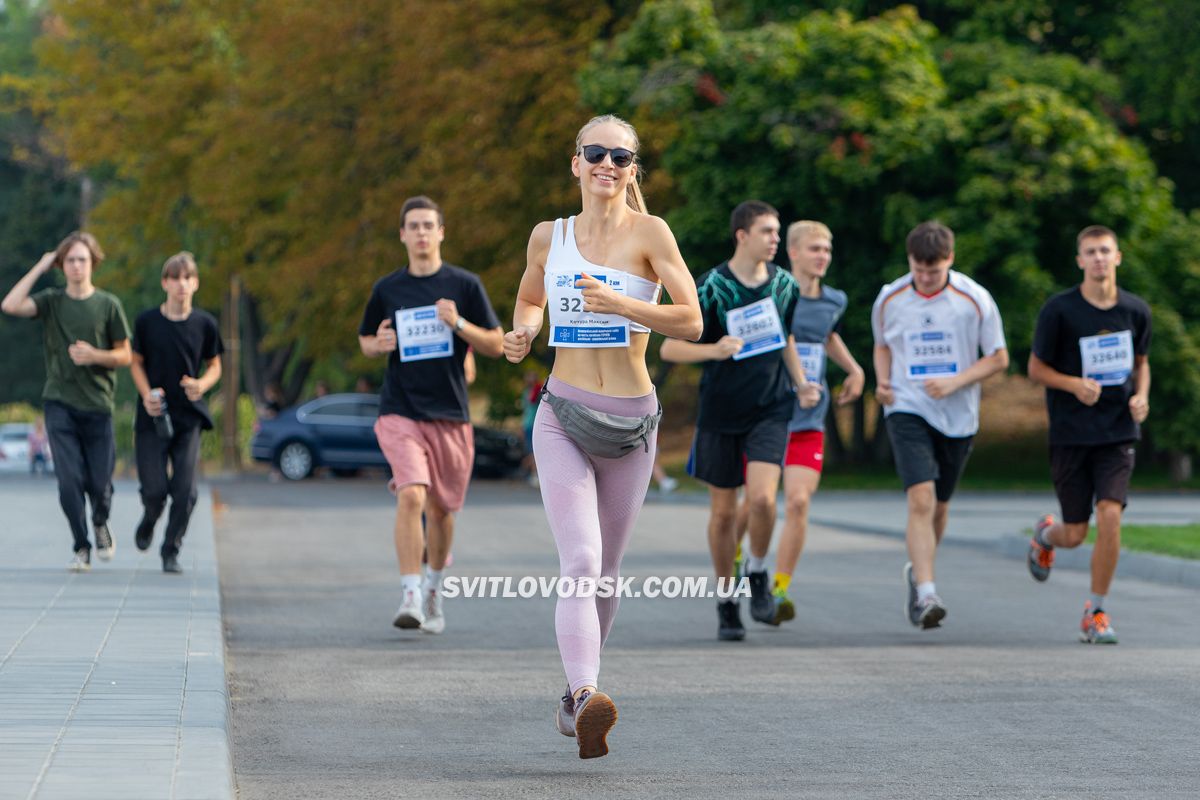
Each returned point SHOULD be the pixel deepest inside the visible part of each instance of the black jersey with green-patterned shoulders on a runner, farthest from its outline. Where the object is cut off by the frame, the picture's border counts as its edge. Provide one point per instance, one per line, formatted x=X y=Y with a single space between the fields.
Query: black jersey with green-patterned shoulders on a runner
x=736 y=395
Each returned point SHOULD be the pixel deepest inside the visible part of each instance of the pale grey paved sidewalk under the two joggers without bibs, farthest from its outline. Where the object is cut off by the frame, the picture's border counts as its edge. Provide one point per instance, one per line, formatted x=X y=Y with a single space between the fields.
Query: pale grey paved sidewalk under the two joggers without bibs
x=112 y=683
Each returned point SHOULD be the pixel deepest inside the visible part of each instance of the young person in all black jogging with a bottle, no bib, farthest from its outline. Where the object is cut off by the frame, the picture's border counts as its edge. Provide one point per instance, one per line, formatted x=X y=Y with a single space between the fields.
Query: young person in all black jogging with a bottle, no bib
x=177 y=360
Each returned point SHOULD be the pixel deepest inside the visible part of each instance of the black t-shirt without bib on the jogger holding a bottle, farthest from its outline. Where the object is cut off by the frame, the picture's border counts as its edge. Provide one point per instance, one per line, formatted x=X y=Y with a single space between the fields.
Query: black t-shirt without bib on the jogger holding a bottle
x=170 y=351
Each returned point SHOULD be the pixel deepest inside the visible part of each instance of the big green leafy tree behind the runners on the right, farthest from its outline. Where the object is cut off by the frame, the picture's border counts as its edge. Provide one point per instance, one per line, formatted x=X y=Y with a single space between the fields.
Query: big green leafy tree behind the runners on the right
x=875 y=125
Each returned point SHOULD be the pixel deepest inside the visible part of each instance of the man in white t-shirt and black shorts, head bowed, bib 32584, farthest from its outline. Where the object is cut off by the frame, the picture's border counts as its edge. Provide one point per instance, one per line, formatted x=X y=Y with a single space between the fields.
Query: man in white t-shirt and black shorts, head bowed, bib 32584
x=931 y=329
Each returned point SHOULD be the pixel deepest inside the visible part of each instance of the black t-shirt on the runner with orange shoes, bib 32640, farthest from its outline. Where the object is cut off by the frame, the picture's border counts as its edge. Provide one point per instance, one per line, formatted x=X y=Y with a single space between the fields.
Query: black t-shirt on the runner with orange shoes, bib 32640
x=1066 y=320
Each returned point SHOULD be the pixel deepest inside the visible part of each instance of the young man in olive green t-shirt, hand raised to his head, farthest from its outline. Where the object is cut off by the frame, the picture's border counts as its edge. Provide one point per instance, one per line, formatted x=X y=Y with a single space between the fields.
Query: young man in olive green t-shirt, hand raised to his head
x=86 y=339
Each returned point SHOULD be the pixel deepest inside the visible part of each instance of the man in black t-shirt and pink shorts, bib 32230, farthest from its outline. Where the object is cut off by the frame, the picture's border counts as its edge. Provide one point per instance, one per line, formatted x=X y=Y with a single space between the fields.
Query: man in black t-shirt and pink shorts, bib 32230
x=424 y=318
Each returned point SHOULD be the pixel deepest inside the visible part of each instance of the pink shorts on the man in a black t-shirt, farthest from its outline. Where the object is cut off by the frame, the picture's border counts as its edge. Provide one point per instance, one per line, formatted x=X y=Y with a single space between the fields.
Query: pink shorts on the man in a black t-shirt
x=437 y=454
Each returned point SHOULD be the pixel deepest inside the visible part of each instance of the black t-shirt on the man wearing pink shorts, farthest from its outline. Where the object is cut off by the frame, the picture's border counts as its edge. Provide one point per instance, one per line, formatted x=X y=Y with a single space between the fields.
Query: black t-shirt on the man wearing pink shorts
x=434 y=389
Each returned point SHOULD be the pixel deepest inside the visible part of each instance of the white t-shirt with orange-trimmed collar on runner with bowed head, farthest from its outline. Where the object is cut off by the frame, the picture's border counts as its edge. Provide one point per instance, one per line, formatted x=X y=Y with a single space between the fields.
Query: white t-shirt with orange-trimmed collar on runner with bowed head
x=937 y=338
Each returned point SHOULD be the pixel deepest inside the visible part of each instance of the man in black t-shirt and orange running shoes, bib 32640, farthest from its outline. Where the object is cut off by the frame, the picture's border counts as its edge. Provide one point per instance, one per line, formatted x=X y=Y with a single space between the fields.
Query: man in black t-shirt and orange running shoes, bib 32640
x=1090 y=352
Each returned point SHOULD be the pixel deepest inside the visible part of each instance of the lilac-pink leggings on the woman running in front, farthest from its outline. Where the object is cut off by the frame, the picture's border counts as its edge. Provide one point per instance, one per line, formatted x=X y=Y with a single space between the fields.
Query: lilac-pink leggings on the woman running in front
x=592 y=506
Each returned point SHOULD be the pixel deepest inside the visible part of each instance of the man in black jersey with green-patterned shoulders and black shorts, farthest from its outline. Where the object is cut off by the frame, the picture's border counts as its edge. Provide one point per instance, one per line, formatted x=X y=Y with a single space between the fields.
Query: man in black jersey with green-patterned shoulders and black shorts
x=746 y=400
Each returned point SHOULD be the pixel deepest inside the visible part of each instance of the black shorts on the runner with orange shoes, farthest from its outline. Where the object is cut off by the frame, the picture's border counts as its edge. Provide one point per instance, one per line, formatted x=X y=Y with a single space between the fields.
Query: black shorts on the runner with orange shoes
x=1088 y=474
